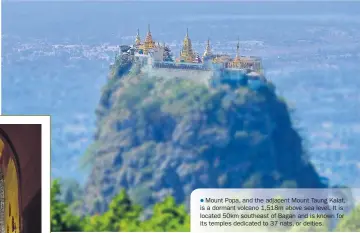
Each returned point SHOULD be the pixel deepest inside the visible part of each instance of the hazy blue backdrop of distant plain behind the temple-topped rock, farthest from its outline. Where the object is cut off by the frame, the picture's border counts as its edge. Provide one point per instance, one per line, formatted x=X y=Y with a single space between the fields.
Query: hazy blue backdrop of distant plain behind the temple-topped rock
x=56 y=57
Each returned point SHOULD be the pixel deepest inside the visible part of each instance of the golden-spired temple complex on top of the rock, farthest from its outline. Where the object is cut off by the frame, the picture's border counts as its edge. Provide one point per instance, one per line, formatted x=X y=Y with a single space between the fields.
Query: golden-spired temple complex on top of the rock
x=160 y=56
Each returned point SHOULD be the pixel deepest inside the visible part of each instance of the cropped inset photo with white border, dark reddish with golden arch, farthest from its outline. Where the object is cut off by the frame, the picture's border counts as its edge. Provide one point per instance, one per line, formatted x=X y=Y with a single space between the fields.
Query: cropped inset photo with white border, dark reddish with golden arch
x=20 y=173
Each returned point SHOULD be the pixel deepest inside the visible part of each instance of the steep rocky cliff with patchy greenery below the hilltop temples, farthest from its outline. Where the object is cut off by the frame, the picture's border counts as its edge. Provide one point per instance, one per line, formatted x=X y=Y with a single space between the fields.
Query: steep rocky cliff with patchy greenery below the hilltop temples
x=158 y=137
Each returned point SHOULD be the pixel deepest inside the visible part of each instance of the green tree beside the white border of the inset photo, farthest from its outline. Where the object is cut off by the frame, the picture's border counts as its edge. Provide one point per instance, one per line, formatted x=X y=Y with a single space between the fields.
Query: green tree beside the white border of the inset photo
x=61 y=218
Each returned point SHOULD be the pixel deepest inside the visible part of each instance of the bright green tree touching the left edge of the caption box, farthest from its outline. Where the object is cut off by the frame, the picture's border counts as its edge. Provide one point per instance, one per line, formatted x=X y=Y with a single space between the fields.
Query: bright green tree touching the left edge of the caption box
x=168 y=217
